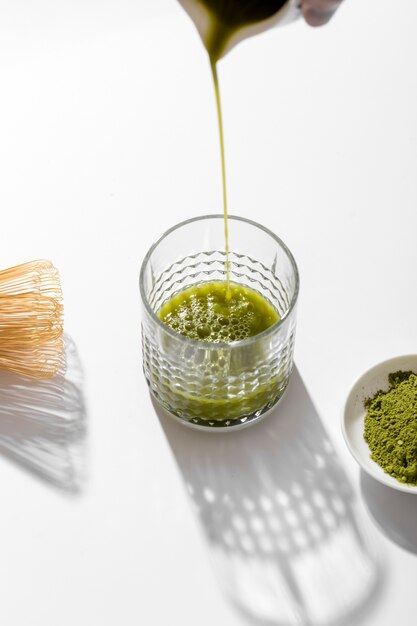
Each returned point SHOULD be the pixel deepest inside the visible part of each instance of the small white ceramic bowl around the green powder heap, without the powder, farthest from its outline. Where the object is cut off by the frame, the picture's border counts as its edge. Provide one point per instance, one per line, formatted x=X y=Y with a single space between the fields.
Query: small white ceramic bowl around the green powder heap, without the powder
x=354 y=414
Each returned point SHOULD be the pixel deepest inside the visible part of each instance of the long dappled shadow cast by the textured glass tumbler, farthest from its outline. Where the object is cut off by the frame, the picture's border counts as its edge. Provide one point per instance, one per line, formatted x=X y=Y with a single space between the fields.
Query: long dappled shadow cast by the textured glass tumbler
x=279 y=516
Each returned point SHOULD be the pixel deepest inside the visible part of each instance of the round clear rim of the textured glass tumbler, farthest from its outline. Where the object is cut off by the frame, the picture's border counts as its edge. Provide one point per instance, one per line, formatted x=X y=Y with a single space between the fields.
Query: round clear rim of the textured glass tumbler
x=210 y=344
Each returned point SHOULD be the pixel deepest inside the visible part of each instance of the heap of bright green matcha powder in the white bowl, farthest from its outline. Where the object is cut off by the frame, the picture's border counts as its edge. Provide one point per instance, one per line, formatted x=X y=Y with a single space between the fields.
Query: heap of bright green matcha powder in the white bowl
x=391 y=427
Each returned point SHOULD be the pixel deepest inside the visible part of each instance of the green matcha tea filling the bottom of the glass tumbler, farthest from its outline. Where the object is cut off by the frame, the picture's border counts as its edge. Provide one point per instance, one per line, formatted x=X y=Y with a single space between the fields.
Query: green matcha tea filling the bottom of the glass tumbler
x=235 y=379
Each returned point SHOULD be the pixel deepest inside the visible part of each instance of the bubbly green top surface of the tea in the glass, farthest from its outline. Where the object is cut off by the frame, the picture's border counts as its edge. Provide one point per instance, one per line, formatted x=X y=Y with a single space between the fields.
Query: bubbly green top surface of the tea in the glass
x=217 y=312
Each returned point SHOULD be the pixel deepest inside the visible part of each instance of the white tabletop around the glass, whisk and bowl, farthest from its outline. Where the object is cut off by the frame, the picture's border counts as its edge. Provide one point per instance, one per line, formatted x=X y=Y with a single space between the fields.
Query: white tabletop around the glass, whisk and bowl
x=110 y=514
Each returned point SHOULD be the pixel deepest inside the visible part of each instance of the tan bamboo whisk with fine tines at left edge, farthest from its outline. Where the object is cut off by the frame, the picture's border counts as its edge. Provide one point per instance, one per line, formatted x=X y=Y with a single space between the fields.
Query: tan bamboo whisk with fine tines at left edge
x=31 y=320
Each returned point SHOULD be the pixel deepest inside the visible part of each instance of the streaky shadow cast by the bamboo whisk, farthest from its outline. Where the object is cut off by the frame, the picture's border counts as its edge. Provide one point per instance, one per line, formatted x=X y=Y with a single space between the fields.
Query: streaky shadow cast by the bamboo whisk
x=43 y=423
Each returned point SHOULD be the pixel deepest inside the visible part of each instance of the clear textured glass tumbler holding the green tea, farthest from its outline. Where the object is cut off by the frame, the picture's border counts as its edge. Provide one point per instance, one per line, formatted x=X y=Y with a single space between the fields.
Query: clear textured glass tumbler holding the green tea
x=218 y=385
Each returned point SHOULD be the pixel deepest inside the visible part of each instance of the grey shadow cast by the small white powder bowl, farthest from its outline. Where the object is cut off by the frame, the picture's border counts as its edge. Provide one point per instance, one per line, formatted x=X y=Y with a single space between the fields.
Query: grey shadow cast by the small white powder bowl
x=394 y=512
